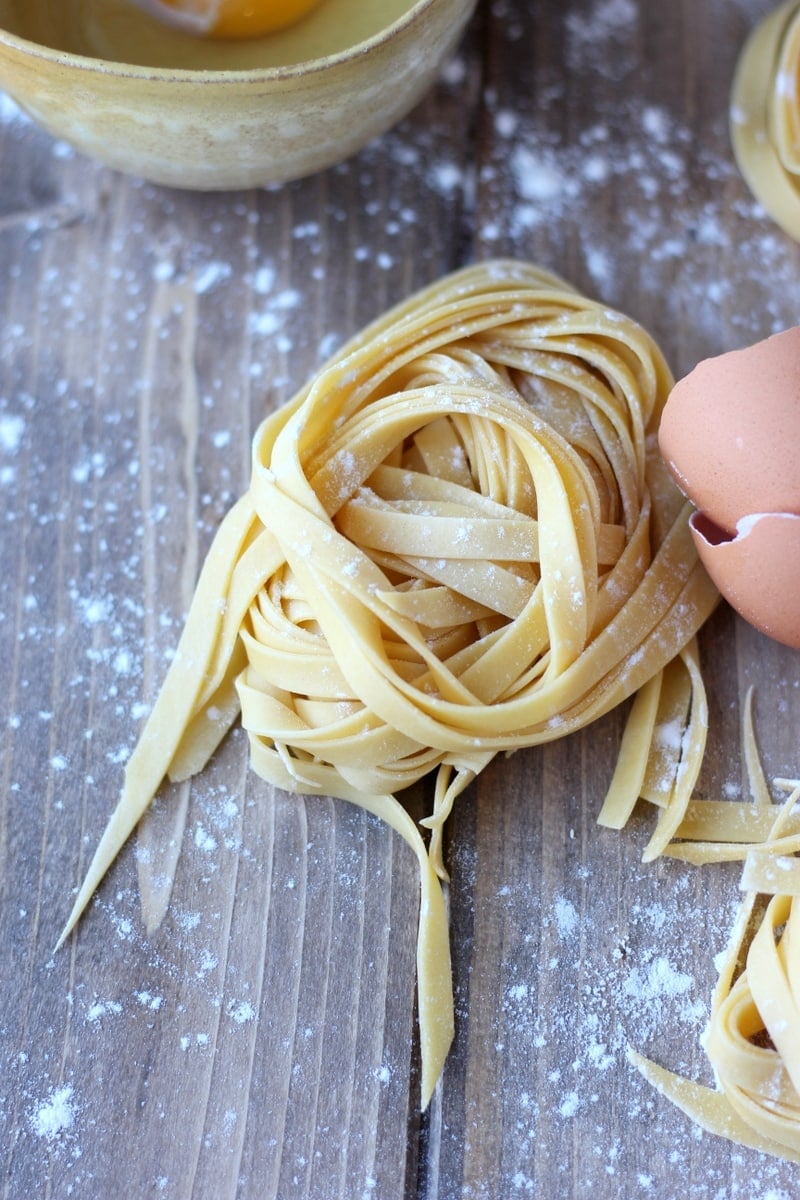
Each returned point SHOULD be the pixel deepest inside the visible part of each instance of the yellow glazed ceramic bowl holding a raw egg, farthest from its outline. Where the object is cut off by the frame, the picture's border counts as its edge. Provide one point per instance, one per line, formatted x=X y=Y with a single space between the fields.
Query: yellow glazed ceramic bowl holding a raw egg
x=196 y=113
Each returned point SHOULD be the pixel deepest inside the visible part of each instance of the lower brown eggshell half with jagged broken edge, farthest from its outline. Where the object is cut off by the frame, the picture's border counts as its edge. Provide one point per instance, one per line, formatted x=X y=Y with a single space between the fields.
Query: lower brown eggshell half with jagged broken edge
x=757 y=572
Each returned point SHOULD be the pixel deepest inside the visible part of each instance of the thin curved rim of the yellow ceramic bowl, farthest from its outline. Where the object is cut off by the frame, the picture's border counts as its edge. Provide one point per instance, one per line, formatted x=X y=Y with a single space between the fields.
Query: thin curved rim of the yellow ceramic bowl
x=189 y=75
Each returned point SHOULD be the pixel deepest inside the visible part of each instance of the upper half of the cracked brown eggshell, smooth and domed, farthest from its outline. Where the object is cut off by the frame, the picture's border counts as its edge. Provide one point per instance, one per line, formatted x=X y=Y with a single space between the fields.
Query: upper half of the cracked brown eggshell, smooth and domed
x=731 y=431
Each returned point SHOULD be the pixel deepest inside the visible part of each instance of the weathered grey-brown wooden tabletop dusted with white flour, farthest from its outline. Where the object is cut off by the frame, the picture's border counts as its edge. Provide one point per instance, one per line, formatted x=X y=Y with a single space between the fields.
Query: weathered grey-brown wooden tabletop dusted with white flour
x=262 y=1042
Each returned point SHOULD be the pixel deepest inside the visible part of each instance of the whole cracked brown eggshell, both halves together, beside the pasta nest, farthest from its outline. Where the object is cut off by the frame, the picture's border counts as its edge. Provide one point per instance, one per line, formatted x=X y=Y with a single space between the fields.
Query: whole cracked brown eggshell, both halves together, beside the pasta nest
x=730 y=435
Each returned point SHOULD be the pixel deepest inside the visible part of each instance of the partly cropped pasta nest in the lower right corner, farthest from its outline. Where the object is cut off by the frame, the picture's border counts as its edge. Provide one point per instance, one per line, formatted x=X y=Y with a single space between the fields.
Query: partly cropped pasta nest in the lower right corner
x=754 y=1034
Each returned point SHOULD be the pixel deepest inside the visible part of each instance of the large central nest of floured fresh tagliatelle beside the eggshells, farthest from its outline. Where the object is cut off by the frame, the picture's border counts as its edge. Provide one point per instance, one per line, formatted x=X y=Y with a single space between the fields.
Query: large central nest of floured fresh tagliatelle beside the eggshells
x=459 y=539
